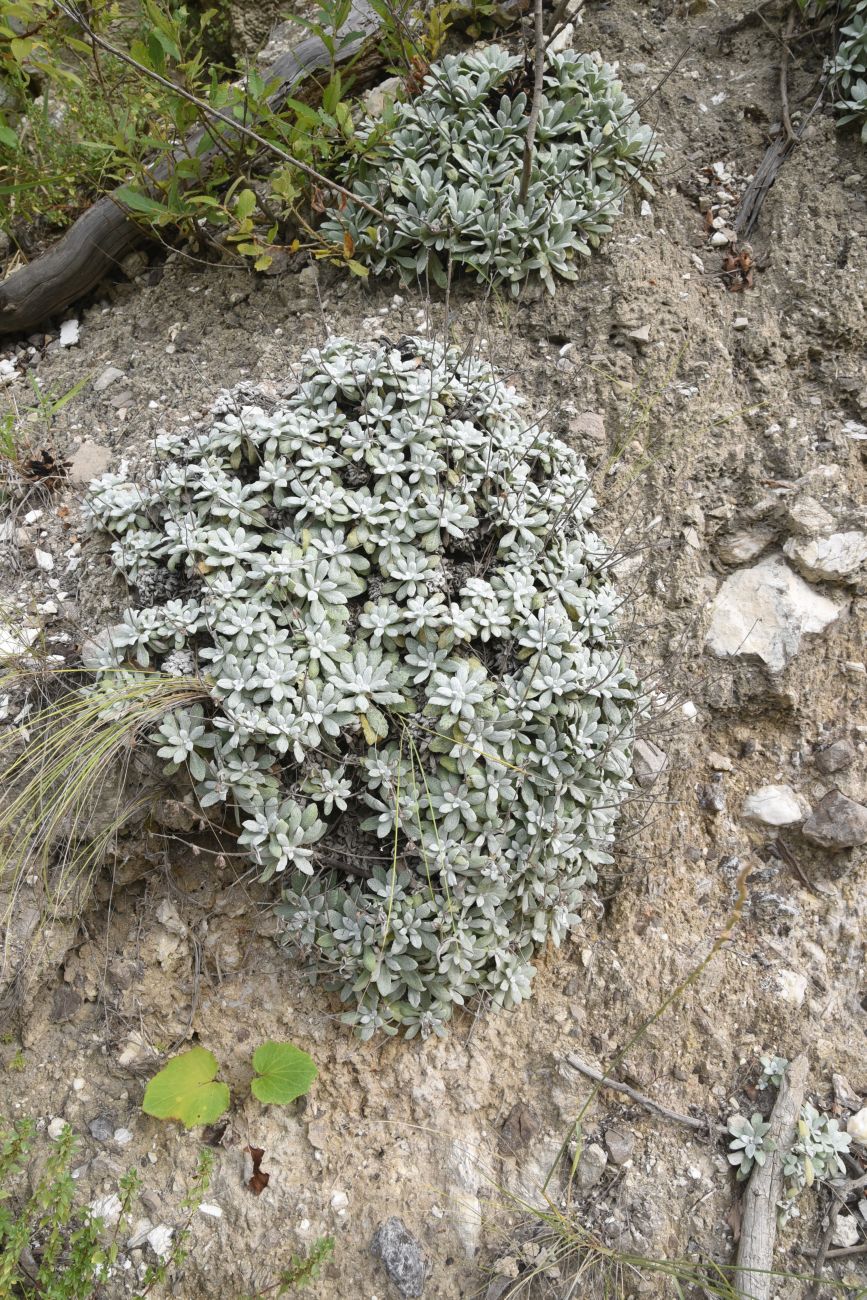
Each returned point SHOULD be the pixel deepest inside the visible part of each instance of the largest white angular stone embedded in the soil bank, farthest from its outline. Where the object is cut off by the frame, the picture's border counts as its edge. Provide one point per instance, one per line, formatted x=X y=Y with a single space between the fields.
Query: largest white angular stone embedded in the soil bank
x=762 y=613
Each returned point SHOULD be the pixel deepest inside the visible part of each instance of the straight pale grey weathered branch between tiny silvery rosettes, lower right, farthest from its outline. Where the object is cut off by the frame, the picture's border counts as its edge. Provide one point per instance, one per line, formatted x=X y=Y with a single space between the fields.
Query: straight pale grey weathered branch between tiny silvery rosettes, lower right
x=755 y=1267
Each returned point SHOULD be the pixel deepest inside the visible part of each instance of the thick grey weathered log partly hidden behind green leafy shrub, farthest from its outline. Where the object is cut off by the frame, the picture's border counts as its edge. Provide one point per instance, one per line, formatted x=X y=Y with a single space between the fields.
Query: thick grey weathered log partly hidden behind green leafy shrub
x=107 y=232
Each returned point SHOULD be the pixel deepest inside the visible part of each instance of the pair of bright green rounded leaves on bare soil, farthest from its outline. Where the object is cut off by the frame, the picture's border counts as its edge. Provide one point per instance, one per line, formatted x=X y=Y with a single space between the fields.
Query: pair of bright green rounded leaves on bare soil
x=188 y=1090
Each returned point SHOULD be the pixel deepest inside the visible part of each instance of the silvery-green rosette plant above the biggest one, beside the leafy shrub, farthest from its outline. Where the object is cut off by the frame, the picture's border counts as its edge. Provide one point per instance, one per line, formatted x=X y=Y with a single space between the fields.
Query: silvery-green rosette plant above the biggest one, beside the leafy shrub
x=449 y=175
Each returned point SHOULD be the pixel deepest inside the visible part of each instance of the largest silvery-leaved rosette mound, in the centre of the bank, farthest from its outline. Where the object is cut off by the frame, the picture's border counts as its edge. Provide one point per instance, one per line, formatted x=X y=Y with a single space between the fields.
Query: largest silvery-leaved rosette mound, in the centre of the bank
x=419 y=713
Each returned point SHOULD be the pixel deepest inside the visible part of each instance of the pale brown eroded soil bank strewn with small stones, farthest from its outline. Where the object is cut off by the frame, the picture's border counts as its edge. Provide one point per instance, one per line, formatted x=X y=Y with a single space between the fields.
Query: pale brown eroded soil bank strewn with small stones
x=716 y=422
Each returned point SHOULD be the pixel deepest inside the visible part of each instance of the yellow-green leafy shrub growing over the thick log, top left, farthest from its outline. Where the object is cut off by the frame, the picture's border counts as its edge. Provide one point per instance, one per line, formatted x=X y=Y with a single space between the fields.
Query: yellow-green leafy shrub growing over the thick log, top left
x=122 y=93
